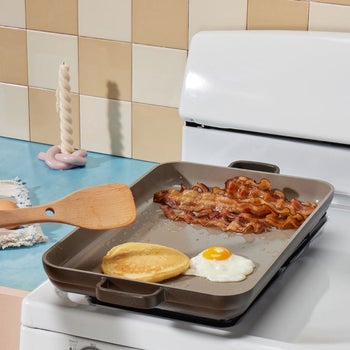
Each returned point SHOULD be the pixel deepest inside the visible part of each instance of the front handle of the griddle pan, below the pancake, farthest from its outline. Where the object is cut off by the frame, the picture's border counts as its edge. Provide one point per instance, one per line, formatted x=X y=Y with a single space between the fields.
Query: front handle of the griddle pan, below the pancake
x=107 y=292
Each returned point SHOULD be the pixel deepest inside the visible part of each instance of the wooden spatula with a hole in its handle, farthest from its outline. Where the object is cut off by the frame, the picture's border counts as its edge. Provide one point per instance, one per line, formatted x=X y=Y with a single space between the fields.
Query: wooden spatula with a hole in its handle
x=97 y=208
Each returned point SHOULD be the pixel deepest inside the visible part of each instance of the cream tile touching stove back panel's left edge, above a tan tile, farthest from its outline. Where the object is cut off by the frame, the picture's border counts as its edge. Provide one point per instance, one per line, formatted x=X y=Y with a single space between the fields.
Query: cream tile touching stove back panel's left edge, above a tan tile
x=157 y=75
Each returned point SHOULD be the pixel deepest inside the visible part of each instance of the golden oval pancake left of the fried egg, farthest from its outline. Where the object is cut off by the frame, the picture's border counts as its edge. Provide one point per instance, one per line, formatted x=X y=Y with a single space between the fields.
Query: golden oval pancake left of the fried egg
x=144 y=262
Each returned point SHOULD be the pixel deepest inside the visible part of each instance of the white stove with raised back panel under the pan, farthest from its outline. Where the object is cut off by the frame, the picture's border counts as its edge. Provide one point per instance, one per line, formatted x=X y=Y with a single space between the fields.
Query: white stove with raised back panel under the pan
x=280 y=97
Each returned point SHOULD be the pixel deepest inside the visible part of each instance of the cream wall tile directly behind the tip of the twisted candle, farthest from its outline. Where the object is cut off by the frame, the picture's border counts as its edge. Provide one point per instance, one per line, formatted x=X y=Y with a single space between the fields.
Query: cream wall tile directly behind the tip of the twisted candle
x=46 y=51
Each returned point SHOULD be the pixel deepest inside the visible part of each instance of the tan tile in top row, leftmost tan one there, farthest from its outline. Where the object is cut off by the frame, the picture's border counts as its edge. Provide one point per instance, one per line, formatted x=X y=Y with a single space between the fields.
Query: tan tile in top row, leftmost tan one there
x=58 y=16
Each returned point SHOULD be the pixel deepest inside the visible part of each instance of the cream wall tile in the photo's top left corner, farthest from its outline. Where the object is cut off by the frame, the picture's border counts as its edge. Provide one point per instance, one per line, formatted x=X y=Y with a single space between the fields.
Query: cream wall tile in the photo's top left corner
x=12 y=13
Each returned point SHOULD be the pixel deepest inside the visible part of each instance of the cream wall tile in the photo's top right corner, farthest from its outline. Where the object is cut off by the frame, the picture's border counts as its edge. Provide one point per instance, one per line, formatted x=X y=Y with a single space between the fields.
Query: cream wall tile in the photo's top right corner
x=326 y=17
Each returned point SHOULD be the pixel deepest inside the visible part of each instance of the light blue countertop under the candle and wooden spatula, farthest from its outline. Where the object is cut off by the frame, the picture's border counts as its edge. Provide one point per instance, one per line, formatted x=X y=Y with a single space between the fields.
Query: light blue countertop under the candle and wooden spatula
x=21 y=268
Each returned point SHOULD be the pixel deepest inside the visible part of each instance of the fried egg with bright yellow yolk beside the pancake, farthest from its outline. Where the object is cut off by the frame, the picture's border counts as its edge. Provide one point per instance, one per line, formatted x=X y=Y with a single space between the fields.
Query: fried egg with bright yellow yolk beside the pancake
x=219 y=264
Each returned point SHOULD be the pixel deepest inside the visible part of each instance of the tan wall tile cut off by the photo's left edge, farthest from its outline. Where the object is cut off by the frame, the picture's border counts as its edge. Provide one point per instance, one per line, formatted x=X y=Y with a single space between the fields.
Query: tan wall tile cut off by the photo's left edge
x=13 y=56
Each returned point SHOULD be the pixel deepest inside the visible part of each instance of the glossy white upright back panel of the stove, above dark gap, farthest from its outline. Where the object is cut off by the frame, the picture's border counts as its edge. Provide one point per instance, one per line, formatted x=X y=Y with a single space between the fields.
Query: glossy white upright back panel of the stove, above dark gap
x=277 y=82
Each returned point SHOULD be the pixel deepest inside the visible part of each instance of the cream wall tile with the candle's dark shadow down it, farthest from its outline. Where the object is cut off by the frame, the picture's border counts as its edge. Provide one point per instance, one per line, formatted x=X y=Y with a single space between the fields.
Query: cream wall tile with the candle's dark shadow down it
x=105 y=125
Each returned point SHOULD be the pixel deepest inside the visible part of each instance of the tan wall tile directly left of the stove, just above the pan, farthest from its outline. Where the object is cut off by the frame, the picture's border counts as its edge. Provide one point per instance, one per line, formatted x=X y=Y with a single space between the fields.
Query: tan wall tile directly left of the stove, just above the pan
x=157 y=133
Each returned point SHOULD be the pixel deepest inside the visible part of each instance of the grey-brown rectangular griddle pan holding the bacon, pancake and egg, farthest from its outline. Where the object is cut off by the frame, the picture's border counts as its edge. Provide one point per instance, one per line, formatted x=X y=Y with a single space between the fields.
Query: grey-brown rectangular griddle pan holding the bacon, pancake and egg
x=73 y=264
